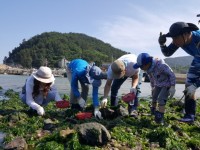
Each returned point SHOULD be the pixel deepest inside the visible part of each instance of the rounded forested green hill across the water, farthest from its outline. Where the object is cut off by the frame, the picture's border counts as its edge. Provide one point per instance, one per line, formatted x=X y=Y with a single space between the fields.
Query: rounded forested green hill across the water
x=54 y=46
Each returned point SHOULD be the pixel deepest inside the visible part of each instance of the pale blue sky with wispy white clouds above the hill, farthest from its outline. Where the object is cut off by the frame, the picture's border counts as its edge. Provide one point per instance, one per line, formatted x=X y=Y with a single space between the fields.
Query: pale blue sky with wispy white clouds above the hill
x=130 y=25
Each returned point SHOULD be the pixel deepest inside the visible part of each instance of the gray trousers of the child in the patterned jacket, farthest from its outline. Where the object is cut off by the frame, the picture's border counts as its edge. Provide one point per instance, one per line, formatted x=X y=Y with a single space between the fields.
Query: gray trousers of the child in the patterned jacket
x=160 y=95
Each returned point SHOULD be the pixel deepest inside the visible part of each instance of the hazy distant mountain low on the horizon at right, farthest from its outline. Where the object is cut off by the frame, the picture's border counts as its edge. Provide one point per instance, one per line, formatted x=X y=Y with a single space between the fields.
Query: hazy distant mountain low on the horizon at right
x=184 y=61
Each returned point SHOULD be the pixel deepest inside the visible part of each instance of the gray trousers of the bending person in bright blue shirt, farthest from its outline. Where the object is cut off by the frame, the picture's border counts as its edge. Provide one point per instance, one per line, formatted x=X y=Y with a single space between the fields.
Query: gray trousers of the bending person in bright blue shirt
x=84 y=89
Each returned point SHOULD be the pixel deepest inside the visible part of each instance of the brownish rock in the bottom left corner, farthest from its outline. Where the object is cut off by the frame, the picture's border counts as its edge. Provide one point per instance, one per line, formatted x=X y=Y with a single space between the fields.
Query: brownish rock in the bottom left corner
x=18 y=143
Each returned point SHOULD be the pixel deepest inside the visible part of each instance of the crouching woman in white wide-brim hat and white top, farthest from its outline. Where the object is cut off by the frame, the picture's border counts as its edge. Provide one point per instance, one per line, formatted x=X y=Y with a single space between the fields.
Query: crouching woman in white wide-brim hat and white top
x=39 y=90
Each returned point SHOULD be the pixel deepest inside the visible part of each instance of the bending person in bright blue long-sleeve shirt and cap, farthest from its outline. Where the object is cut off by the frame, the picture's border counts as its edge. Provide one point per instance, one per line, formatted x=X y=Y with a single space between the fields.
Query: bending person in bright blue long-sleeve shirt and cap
x=79 y=70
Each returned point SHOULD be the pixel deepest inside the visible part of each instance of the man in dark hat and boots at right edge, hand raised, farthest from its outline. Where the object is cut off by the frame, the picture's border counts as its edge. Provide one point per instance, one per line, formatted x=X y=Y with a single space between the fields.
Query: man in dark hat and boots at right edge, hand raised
x=186 y=36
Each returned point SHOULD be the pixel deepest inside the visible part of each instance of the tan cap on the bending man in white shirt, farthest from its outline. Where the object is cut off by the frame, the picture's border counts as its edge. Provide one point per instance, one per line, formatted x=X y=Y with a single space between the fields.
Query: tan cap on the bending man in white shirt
x=118 y=69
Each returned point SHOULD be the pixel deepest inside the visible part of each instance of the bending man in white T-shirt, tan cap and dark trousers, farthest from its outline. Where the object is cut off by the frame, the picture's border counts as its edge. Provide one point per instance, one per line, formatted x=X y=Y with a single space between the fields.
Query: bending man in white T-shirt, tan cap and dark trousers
x=117 y=73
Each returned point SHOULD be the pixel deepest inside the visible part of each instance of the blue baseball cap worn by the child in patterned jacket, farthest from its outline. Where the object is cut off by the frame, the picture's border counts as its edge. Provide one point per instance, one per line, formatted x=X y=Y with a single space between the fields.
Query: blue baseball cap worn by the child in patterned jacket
x=142 y=59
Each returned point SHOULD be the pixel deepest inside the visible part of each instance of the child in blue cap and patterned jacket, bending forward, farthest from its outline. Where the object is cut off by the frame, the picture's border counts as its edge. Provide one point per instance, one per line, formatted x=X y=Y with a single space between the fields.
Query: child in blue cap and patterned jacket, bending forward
x=162 y=81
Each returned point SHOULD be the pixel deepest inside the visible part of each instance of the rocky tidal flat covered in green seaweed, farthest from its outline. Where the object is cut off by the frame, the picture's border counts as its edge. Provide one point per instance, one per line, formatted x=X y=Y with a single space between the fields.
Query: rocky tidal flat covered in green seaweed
x=56 y=130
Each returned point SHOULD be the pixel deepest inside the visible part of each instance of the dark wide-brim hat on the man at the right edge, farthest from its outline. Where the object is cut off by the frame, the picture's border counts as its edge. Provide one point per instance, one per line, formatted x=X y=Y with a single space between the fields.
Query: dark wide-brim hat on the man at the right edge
x=179 y=28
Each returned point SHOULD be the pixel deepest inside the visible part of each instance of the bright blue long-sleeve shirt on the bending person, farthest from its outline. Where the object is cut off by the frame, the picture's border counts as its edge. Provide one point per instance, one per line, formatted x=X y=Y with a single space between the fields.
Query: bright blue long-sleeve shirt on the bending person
x=79 y=69
